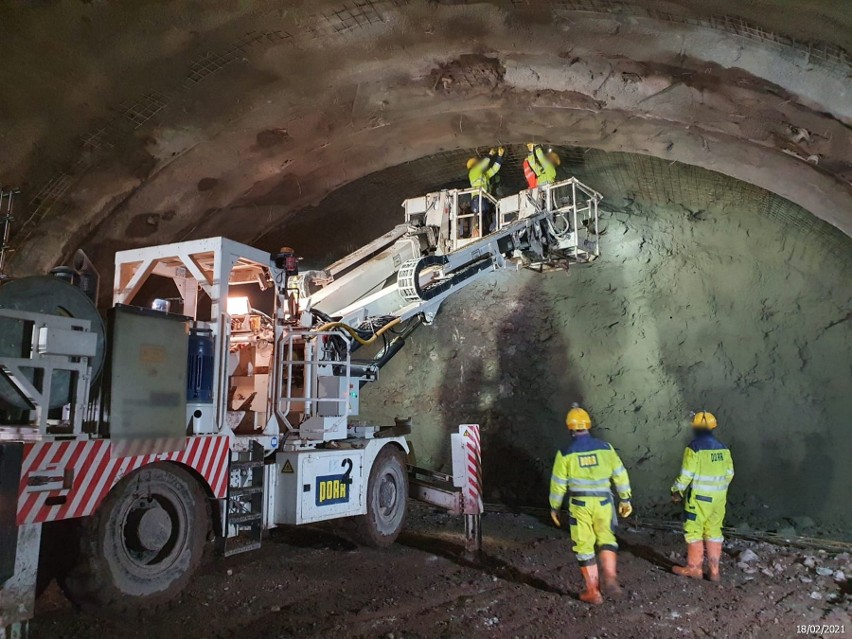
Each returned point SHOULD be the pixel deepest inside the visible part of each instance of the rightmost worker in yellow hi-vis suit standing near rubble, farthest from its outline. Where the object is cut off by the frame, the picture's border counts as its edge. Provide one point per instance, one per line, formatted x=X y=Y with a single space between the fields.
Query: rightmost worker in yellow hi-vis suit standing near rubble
x=705 y=474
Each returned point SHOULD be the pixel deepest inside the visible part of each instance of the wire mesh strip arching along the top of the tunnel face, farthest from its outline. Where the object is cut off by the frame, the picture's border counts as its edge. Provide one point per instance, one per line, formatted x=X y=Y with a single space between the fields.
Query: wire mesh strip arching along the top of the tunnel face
x=619 y=177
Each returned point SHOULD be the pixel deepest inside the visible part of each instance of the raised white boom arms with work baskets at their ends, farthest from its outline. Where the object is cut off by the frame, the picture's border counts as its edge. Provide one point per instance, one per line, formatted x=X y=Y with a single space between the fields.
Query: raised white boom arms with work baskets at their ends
x=408 y=272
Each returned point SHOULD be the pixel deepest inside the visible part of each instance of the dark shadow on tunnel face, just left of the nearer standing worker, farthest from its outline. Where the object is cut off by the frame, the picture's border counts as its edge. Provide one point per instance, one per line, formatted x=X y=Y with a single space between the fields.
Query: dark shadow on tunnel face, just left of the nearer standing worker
x=532 y=384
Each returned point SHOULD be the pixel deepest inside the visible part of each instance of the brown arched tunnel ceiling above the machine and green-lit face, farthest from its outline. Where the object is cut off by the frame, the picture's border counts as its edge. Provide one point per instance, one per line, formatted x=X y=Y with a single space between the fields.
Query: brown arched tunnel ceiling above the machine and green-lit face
x=156 y=122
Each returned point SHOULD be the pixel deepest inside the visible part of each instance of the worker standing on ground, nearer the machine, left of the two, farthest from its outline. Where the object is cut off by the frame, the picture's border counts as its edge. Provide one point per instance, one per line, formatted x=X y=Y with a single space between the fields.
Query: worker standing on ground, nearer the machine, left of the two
x=586 y=469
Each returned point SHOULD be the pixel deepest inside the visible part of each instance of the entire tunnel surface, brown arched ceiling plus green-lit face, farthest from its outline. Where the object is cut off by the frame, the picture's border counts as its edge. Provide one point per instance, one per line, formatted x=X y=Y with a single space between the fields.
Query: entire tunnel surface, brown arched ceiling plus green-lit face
x=718 y=136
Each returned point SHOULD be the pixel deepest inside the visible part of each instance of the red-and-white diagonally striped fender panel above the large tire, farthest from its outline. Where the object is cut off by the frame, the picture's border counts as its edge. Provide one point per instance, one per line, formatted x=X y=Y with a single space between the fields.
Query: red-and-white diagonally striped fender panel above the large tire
x=63 y=480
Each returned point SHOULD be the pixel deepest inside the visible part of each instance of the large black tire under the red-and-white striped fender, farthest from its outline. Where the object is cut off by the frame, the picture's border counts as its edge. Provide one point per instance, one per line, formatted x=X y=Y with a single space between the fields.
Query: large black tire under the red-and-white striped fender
x=143 y=544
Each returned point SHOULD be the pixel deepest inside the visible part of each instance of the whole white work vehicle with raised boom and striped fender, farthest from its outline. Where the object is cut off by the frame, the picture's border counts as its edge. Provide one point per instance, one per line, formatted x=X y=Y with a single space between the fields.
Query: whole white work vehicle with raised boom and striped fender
x=133 y=442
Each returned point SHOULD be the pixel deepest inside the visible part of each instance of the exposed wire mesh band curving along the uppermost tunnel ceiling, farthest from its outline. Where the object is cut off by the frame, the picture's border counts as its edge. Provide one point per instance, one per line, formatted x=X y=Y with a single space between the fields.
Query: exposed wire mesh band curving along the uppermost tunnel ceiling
x=332 y=22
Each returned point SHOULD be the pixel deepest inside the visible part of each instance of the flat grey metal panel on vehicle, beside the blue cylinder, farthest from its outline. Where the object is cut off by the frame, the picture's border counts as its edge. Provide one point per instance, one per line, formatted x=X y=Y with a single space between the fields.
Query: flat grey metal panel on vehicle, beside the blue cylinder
x=148 y=355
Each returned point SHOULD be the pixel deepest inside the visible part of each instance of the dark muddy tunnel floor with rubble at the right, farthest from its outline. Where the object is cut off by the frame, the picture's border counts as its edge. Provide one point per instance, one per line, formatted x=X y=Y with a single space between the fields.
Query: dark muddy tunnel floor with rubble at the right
x=313 y=582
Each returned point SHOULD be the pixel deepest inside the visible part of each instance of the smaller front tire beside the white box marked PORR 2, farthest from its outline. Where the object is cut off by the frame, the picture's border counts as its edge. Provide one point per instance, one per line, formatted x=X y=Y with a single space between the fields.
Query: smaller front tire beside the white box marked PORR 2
x=387 y=499
